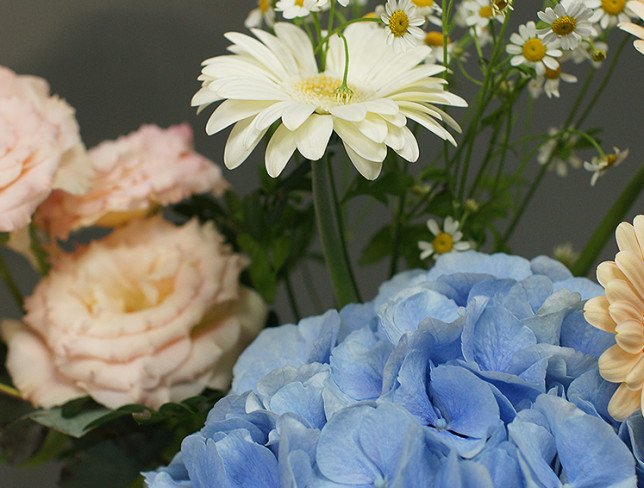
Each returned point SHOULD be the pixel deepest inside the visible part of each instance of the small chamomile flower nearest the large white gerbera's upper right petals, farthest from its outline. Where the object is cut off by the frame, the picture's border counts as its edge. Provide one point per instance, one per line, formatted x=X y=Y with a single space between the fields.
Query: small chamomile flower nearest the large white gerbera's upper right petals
x=402 y=21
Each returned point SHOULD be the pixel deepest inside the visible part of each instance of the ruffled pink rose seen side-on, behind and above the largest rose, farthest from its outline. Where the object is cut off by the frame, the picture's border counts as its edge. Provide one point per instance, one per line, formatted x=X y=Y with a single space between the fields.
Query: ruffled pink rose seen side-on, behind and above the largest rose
x=133 y=175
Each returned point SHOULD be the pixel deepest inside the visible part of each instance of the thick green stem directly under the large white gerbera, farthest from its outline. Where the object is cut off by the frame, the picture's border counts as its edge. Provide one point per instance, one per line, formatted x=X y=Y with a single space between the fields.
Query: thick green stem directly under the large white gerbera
x=328 y=224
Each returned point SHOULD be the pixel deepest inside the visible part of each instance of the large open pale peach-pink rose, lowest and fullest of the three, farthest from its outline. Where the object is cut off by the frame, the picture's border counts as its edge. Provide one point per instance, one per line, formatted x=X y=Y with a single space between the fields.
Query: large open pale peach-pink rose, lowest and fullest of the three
x=152 y=313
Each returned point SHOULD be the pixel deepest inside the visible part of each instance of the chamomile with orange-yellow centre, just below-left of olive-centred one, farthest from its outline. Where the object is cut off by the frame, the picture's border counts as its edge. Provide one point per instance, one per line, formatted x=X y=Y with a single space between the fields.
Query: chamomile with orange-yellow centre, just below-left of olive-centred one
x=528 y=49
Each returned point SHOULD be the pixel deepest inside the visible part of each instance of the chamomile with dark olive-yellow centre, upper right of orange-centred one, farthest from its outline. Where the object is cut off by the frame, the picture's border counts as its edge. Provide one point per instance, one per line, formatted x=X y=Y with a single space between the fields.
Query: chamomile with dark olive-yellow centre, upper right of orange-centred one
x=569 y=23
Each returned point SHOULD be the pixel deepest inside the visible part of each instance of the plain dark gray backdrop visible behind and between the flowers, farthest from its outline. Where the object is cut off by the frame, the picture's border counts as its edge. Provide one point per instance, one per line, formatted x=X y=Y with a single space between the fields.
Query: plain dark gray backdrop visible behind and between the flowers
x=123 y=63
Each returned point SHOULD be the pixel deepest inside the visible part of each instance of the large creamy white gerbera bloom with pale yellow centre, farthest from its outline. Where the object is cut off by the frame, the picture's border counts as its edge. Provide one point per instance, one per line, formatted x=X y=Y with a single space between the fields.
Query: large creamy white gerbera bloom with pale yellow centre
x=276 y=79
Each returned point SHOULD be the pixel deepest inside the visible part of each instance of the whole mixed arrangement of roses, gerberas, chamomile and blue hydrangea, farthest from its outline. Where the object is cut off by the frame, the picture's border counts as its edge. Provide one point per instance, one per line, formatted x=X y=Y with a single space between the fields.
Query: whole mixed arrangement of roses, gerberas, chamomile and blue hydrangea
x=142 y=340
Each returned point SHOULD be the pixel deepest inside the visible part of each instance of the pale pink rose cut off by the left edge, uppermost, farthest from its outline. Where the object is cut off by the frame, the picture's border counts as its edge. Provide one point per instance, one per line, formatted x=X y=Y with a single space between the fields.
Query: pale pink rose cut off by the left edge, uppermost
x=40 y=148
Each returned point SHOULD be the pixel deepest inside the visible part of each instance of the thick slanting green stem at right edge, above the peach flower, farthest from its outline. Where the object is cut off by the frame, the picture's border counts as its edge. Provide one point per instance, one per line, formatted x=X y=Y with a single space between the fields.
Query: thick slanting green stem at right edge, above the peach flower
x=608 y=225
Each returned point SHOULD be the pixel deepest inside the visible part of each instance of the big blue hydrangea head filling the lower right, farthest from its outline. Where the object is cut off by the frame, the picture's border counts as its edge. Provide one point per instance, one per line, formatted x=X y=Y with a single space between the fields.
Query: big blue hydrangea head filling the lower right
x=480 y=372
